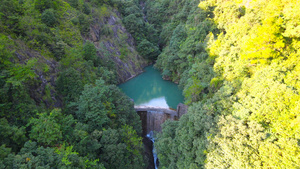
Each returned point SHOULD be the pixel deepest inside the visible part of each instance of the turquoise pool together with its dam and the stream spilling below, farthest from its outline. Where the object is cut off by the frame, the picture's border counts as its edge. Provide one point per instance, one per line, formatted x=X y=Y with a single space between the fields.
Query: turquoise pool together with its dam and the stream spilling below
x=156 y=100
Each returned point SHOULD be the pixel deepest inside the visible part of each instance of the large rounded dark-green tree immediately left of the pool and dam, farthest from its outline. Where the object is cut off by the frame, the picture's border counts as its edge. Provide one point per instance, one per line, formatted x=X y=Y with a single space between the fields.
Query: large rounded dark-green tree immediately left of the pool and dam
x=105 y=105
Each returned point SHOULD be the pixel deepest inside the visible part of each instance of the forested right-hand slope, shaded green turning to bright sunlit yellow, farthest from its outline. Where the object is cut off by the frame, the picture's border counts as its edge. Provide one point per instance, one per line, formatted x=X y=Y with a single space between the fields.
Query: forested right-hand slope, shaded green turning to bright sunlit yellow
x=238 y=63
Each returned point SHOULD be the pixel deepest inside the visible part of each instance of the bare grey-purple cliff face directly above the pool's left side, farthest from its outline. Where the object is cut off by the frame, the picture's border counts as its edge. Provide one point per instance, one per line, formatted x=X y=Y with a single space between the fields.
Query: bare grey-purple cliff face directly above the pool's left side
x=112 y=39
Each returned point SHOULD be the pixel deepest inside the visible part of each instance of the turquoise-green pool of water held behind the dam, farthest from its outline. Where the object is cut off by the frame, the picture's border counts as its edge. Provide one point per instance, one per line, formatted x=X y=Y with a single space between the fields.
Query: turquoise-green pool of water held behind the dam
x=149 y=89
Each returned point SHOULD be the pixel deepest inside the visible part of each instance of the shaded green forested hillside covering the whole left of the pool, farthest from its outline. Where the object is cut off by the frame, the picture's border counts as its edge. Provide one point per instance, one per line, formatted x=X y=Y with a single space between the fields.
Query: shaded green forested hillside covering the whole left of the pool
x=59 y=104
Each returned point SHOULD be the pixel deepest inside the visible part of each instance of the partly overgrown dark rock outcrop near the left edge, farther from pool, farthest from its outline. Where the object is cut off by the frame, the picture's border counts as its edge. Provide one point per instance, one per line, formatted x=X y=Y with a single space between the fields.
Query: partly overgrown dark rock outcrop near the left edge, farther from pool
x=41 y=85
